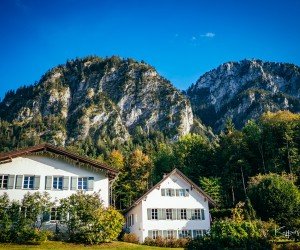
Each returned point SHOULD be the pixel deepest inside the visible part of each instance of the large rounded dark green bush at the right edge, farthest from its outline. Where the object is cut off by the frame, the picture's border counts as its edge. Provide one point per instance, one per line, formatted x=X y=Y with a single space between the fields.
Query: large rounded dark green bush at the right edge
x=275 y=197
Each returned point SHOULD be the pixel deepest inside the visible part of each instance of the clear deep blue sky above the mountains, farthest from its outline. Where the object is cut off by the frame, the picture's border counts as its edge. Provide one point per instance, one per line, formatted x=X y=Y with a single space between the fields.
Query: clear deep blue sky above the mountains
x=181 y=39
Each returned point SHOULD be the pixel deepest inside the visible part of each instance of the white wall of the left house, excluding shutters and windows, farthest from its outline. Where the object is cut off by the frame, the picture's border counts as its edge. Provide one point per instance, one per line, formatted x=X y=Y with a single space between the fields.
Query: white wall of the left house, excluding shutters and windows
x=46 y=166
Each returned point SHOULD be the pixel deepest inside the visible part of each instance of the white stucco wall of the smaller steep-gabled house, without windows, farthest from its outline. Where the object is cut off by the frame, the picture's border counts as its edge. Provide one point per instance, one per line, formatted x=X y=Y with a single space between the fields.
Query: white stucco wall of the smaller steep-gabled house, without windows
x=195 y=200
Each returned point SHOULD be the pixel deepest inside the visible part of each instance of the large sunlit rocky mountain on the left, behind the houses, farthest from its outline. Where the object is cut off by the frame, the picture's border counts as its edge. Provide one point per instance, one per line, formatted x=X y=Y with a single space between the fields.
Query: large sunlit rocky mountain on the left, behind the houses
x=98 y=98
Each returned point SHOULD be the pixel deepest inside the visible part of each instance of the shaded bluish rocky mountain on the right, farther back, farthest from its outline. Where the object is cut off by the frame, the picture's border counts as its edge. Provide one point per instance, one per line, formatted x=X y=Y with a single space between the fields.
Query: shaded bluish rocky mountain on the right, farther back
x=244 y=90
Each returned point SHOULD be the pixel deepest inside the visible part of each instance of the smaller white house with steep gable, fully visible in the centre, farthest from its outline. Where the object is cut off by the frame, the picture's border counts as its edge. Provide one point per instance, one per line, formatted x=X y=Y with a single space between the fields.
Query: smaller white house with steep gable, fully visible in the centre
x=174 y=208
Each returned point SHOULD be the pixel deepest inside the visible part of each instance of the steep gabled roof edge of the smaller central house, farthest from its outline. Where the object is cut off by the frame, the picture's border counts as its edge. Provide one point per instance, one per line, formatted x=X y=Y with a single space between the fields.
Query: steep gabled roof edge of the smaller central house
x=175 y=171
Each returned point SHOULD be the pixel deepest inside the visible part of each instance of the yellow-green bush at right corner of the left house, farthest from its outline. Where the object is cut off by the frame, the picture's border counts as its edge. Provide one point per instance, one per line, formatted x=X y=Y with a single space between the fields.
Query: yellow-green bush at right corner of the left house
x=87 y=221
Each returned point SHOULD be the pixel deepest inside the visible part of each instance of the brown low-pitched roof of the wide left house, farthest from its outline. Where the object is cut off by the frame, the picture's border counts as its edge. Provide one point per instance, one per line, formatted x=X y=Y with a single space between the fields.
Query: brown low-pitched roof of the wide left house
x=110 y=172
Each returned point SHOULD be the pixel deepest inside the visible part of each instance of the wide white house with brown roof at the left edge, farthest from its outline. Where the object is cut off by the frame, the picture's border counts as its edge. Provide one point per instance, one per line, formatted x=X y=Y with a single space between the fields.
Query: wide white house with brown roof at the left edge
x=57 y=171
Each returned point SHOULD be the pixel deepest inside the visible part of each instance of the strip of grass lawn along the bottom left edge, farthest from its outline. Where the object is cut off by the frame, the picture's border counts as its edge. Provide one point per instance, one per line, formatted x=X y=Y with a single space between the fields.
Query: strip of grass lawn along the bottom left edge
x=58 y=245
